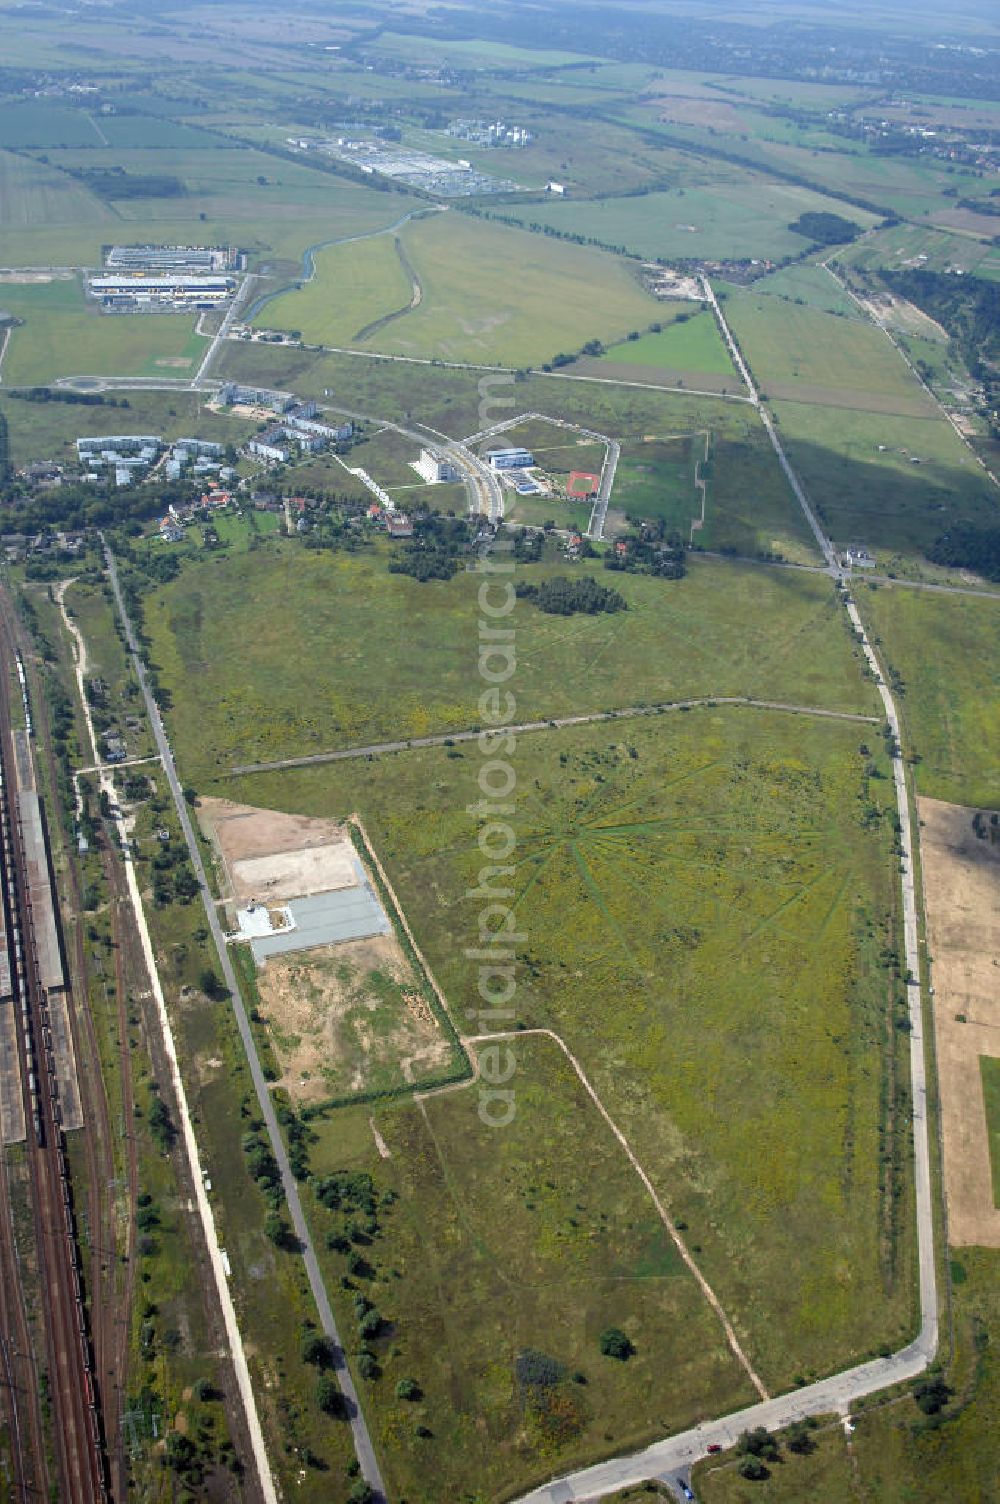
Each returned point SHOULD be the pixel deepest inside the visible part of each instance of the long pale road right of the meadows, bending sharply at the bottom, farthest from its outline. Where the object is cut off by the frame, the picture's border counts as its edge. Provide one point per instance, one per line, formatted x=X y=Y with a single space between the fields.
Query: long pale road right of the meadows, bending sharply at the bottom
x=670 y=1461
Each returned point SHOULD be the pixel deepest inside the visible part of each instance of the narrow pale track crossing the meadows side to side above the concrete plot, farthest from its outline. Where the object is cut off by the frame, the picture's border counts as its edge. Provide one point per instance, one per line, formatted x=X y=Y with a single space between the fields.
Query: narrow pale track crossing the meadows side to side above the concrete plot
x=553 y=724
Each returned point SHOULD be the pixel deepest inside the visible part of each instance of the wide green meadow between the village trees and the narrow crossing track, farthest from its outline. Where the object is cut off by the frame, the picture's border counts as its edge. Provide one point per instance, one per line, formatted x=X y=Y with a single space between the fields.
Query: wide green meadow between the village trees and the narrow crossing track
x=404 y=663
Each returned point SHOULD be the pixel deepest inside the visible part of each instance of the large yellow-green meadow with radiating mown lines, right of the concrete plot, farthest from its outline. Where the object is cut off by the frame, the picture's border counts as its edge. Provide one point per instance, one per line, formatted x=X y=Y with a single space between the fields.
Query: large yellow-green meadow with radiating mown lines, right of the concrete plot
x=753 y=959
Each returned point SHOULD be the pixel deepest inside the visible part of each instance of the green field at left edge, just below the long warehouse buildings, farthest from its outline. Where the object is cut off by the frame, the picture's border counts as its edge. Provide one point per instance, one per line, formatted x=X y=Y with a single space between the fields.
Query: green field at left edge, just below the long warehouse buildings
x=65 y=336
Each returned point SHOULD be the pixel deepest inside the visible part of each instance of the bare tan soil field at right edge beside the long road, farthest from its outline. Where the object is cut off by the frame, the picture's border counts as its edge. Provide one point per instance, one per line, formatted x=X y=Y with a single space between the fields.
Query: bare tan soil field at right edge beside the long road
x=962 y=881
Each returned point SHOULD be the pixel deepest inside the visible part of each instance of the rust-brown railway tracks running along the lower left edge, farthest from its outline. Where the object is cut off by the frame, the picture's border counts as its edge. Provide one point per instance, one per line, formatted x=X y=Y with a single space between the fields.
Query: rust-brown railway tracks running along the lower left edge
x=76 y=1418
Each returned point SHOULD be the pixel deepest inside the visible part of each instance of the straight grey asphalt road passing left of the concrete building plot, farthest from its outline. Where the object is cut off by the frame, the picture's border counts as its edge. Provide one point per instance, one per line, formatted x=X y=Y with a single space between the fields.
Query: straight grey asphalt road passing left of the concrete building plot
x=362 y=1437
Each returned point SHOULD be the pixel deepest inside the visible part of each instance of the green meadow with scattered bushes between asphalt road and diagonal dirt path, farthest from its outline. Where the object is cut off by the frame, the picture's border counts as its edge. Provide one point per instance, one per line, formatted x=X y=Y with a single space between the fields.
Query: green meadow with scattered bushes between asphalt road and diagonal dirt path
x=497 y=1246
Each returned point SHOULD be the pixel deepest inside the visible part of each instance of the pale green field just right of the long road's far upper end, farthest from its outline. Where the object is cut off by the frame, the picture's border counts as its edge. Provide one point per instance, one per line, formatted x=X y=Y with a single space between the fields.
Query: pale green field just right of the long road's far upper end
x=802 y=354
